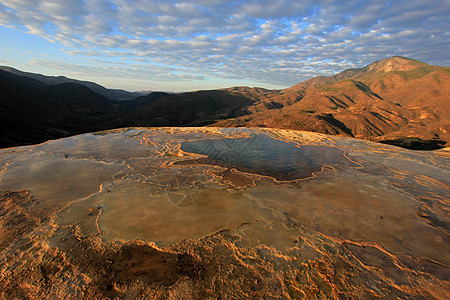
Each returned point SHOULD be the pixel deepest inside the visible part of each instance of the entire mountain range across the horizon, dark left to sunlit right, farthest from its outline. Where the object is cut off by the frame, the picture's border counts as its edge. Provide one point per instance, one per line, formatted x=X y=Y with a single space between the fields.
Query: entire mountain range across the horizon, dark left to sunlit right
x=396 y=100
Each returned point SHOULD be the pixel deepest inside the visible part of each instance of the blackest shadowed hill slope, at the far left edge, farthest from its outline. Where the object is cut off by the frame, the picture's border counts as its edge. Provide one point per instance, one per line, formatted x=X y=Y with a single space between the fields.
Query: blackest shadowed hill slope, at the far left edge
x=31 y=111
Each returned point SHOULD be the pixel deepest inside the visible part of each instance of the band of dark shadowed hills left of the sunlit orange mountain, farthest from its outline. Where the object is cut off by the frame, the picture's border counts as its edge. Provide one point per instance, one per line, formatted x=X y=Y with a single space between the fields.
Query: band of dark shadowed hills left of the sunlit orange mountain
x=33 y=112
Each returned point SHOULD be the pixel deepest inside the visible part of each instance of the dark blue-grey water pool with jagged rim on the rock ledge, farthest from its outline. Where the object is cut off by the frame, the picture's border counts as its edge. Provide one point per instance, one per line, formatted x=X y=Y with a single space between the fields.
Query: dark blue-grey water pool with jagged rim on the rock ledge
x=263 y=155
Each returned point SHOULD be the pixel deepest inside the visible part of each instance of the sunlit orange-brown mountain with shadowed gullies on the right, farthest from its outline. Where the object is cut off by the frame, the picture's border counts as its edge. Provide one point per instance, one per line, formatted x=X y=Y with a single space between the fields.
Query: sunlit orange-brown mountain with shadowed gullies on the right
x=395 y=100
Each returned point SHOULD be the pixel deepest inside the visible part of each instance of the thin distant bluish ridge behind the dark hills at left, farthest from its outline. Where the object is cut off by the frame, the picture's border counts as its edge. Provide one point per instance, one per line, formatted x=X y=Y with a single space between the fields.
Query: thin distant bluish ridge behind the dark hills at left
x=114 y=94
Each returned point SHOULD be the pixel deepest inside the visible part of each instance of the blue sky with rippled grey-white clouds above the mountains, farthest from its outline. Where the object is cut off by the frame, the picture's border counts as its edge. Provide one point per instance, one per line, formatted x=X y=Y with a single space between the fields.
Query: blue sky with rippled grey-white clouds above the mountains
x=206 y=44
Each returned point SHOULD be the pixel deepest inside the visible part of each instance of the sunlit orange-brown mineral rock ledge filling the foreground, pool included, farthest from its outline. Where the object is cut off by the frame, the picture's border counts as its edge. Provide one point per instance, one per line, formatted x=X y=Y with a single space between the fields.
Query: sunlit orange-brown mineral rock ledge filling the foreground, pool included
x=235 y=213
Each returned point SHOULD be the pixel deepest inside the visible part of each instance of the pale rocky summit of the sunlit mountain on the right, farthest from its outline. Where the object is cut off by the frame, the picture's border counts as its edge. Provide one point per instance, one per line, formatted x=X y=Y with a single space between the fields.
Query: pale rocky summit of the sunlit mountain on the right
x=395 y=63
